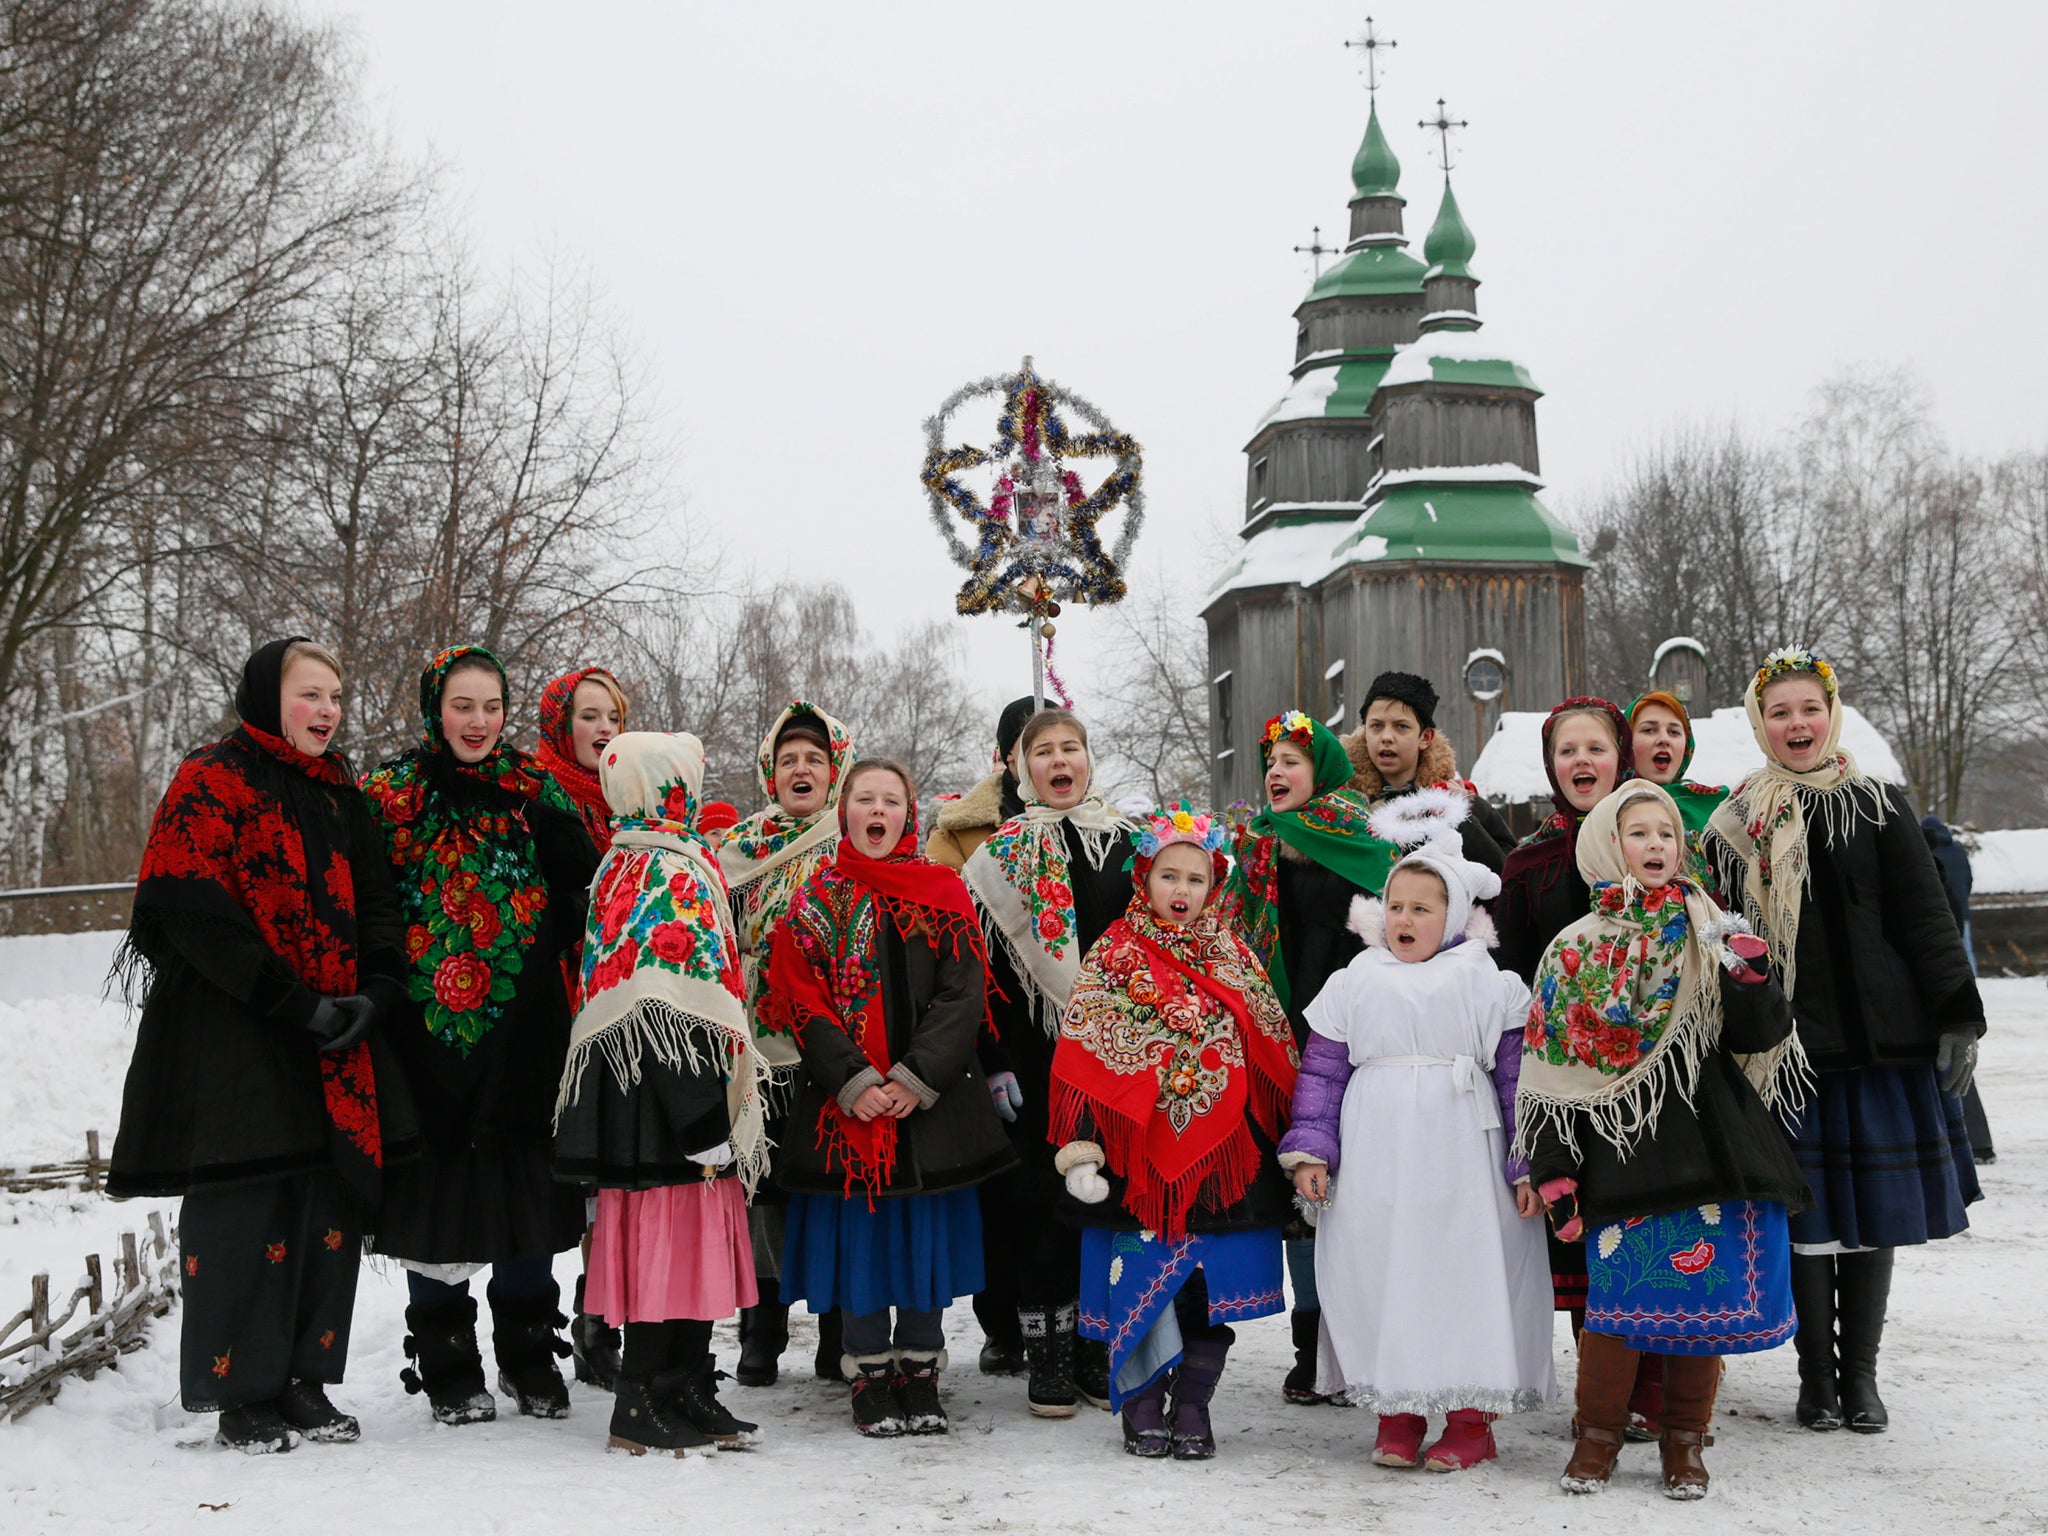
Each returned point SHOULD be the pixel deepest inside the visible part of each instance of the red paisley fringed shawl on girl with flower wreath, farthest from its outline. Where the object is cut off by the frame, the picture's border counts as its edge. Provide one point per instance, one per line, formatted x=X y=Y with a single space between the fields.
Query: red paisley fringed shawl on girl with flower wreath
x=1175 y=1046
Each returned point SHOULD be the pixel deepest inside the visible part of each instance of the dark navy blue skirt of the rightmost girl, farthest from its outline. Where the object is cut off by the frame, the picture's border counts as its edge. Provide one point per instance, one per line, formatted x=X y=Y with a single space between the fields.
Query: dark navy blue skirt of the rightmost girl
x=1887 y=1156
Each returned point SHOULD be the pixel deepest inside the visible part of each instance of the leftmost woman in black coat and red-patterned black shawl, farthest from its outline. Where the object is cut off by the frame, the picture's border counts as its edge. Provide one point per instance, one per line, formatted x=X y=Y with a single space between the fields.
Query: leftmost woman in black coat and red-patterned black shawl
x=261 y=1086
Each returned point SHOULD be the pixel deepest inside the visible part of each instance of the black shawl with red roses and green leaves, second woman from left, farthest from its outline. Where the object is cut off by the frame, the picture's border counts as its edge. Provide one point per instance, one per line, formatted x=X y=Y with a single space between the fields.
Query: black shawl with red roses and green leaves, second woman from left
x=468 y=873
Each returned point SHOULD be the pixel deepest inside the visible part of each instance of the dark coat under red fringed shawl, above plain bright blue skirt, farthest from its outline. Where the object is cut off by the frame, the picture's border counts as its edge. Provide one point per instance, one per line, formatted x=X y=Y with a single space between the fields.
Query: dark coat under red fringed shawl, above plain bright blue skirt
x=933 y=1007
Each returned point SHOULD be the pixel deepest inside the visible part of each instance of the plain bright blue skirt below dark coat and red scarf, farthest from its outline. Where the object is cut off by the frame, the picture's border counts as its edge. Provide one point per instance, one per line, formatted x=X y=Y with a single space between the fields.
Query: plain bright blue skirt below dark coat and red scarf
x=916 y=1252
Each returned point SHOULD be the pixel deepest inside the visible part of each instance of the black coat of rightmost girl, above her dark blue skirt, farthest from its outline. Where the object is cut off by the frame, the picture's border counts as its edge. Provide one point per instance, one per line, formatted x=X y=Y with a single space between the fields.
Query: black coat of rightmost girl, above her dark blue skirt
x=1881 y=970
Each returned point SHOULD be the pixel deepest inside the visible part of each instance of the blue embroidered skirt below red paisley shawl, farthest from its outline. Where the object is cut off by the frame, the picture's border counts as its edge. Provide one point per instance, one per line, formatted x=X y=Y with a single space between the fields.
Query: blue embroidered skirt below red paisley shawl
x=1129 y=1283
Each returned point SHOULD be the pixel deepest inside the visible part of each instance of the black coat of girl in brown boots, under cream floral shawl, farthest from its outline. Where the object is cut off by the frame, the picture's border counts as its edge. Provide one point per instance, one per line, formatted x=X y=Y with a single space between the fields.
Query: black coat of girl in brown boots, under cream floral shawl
x=1723 y=1146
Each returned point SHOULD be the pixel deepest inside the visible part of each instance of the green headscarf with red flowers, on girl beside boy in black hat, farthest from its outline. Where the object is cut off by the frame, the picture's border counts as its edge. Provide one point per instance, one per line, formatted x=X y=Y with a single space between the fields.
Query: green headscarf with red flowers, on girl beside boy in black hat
x=1330 y=828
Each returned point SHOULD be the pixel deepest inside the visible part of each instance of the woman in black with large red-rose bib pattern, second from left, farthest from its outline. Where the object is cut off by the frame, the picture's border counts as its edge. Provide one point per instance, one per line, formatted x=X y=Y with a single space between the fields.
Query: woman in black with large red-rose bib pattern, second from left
x=493 y=869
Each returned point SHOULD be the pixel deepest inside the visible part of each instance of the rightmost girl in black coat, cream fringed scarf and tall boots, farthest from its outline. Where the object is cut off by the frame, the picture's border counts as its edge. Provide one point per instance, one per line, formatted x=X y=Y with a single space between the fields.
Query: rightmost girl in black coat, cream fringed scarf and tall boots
x=1832 y=869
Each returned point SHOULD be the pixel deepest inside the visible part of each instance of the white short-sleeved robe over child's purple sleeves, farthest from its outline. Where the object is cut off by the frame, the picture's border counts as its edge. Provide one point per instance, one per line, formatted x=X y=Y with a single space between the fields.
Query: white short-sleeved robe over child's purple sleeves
x=1437 y=1293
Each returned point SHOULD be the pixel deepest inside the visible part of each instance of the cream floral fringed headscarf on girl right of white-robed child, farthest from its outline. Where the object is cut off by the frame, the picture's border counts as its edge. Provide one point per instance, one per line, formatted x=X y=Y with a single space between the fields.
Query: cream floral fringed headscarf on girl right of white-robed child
x=1627 y=1000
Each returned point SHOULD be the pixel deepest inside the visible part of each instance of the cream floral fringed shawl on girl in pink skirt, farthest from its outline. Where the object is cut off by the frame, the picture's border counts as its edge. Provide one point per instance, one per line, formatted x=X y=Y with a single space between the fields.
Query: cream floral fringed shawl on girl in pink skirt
x=660 y=959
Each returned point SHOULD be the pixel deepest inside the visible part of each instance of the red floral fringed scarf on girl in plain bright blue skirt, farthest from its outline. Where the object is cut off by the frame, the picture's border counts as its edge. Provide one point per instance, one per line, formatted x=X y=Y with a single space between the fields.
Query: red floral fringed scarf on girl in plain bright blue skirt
x=824 y=968
